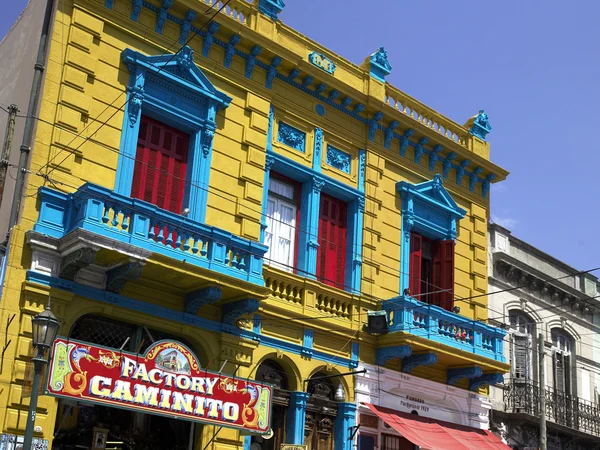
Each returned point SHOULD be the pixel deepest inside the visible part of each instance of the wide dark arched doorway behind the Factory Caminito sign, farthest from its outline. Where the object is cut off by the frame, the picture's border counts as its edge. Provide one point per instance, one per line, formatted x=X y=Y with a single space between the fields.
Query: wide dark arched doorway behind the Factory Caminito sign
x=81 y=425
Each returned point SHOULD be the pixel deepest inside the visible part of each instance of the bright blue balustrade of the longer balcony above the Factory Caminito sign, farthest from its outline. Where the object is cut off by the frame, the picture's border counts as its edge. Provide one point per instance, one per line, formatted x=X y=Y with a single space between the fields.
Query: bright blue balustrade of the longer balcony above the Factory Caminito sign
x=142 y=224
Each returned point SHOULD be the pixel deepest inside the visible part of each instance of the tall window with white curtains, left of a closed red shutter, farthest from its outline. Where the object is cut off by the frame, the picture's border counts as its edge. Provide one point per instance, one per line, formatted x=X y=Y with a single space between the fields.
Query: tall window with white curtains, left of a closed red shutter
x=280 y=235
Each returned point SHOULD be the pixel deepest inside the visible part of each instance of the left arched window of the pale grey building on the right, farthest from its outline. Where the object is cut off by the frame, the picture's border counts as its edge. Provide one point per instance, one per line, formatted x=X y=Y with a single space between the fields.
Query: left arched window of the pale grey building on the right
x=521 y=341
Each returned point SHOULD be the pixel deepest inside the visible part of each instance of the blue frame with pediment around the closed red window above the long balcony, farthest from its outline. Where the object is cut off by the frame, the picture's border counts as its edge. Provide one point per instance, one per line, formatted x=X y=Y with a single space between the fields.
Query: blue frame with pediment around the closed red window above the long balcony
x=172 y=90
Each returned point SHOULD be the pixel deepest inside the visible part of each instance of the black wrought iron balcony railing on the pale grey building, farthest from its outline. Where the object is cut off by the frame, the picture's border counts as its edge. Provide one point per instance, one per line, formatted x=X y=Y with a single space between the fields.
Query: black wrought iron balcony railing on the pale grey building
x=523 y=396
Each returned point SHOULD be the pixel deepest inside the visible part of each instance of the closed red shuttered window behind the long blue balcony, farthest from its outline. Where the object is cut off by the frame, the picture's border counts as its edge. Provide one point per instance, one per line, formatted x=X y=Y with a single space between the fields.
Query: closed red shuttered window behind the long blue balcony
x=160 y=165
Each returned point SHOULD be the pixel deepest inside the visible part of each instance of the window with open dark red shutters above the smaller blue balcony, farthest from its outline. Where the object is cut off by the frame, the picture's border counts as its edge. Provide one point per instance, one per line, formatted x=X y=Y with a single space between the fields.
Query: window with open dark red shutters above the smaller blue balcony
x=431 y=277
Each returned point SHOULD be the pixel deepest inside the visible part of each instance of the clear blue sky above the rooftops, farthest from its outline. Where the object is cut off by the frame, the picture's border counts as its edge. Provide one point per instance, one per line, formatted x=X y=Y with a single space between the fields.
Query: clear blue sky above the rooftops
x=532 y=65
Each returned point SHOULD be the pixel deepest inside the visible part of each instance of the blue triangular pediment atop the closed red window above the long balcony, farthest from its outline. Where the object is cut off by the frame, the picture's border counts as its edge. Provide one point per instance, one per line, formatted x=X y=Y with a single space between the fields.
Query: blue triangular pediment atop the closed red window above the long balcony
x=178 y=69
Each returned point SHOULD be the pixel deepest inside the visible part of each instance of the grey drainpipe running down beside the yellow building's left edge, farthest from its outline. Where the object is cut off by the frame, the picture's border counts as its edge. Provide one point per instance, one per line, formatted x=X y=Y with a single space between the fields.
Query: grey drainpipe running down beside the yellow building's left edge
x=34 y=97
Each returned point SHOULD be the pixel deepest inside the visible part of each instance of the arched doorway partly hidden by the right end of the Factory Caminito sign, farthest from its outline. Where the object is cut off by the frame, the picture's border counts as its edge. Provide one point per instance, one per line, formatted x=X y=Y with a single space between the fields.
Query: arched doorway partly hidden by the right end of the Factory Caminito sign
x=273 y=373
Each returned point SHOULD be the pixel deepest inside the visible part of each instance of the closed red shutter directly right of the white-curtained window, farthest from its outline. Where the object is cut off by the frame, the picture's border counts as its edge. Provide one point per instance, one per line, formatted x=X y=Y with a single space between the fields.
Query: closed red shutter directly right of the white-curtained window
x=331 y=254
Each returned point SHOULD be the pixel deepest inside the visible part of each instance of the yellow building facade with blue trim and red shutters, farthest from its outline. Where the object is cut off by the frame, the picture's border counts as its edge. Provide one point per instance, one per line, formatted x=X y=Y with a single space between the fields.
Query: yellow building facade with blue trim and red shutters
x=253 y=196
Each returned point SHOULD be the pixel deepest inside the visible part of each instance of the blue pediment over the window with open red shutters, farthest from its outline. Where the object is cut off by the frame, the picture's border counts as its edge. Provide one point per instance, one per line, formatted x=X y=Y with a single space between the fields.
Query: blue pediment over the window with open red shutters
x=429 y=208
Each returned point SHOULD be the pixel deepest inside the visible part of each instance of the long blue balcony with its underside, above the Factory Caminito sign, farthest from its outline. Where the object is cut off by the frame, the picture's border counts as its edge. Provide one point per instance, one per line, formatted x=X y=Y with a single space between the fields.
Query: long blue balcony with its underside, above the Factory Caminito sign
x=116 y=226
